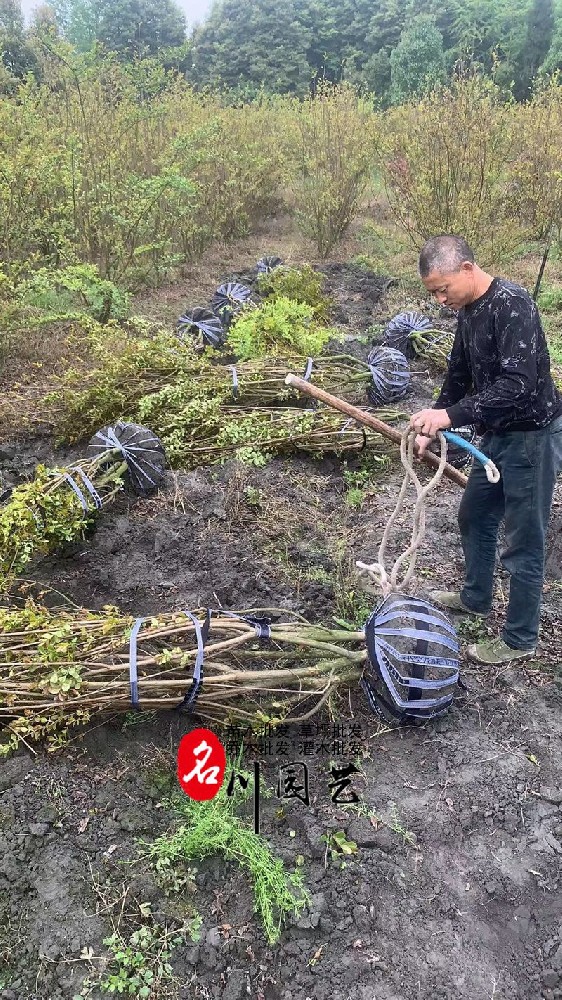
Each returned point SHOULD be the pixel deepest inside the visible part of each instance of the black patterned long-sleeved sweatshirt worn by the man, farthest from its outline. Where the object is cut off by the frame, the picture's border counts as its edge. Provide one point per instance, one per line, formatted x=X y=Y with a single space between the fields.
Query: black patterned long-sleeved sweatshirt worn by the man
x=501 y=358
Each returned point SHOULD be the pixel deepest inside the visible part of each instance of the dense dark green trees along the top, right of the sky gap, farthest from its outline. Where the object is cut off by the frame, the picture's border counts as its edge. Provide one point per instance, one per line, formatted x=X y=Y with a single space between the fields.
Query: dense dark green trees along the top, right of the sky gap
x=395 y=49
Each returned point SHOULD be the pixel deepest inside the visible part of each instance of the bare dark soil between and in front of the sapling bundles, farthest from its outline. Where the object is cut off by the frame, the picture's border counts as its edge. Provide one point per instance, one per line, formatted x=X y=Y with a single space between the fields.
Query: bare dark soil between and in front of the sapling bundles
x=455 y=890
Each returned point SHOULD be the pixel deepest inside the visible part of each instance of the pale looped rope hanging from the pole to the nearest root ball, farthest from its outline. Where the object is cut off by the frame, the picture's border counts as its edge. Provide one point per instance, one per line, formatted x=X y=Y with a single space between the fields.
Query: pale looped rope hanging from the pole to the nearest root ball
x=389 y=582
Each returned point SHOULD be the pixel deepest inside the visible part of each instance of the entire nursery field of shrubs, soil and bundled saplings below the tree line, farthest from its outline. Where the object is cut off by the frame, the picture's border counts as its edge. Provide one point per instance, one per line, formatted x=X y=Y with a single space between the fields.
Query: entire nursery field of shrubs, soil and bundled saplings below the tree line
x=179 y=533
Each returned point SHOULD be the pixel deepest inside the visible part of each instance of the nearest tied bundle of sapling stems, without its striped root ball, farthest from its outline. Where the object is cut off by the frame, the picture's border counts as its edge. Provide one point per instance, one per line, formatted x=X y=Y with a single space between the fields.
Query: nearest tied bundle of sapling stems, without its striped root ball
x=59 y=669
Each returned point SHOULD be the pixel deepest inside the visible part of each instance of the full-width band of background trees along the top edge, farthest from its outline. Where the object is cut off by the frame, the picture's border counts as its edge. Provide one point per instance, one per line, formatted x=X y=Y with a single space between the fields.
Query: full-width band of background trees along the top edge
x=395 y=49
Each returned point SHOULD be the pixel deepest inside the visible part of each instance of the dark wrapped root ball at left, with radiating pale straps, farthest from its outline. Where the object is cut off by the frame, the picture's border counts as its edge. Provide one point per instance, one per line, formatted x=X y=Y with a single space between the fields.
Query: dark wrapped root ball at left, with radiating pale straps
x=141 y=450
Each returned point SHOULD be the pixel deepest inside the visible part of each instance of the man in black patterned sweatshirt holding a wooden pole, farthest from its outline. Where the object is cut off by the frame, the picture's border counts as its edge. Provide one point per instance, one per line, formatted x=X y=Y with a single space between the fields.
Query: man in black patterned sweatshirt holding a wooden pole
x=498 y=379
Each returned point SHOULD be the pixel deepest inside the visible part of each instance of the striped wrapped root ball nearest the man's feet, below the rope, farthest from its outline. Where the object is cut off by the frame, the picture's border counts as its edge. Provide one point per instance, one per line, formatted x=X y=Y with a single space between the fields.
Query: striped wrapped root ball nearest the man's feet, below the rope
x=413 y=669
